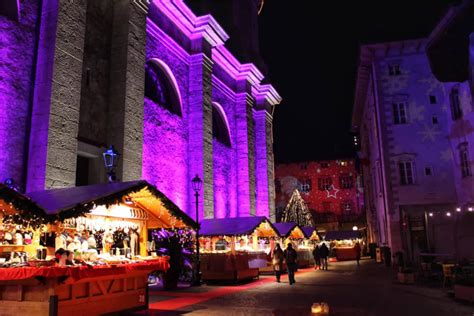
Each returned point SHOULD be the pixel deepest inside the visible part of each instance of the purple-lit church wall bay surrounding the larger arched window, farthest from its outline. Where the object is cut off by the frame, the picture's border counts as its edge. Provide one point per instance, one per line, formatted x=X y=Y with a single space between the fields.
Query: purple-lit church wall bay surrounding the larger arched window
x=165 y=134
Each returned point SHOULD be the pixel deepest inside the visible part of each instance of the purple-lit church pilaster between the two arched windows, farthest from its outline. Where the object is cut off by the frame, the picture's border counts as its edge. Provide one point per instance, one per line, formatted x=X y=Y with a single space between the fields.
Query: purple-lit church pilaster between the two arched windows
x=200 y=133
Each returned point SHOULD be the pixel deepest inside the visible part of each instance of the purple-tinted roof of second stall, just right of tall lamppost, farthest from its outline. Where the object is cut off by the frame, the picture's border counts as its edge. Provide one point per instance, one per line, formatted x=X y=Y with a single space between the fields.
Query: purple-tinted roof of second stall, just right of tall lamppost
x=237 y=226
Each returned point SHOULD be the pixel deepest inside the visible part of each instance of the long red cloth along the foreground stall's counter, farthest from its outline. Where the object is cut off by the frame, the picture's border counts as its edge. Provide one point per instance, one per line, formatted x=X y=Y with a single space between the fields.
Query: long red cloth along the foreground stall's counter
x=81 y=272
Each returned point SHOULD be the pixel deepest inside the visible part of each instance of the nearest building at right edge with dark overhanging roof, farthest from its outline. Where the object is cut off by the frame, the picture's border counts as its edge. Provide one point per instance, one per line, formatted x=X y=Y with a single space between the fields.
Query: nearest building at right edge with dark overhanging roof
x=450 y=50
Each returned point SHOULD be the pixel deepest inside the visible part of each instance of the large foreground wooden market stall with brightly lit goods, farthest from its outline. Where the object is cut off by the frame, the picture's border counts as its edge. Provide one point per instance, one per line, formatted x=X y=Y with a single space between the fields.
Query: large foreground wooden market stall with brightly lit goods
x=84 y=248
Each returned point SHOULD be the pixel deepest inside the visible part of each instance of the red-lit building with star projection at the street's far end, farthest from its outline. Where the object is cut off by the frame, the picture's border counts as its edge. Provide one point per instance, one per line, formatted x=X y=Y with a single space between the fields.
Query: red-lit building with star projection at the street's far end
x=330 y=189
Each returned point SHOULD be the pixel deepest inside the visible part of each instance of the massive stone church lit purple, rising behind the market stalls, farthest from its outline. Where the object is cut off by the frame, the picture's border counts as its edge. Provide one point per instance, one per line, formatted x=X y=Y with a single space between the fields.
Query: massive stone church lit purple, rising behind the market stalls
x=151 y=78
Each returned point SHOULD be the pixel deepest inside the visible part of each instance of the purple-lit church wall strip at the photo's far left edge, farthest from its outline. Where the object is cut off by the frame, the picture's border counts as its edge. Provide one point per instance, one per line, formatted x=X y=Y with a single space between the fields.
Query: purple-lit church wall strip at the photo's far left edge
x=17 y=53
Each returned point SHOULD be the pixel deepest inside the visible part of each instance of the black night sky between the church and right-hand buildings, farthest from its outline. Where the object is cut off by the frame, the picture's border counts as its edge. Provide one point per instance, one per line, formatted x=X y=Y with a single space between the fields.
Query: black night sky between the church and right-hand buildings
x=311 y=49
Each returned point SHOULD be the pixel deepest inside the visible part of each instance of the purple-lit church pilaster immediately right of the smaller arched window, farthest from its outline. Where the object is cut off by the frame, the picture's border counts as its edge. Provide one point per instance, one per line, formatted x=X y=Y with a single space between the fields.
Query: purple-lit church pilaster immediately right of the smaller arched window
x=245 y=147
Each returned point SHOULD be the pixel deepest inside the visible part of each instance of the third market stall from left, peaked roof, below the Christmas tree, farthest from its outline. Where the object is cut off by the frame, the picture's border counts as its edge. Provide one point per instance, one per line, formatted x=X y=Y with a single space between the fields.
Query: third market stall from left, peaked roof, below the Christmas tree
x=292 y=233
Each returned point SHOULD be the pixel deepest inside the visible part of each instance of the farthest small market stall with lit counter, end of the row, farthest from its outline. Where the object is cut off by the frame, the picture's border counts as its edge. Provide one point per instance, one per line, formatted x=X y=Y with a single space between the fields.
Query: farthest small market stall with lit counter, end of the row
x=342 y=244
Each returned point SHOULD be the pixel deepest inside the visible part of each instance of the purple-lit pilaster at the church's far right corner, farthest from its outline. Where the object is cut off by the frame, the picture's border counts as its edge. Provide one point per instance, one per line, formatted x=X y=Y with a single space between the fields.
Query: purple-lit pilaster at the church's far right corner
x=264 y=165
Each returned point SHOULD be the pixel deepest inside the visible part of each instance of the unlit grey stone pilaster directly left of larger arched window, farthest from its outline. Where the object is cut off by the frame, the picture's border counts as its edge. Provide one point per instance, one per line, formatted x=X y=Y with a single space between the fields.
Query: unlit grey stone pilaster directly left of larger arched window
x=125 y=121
